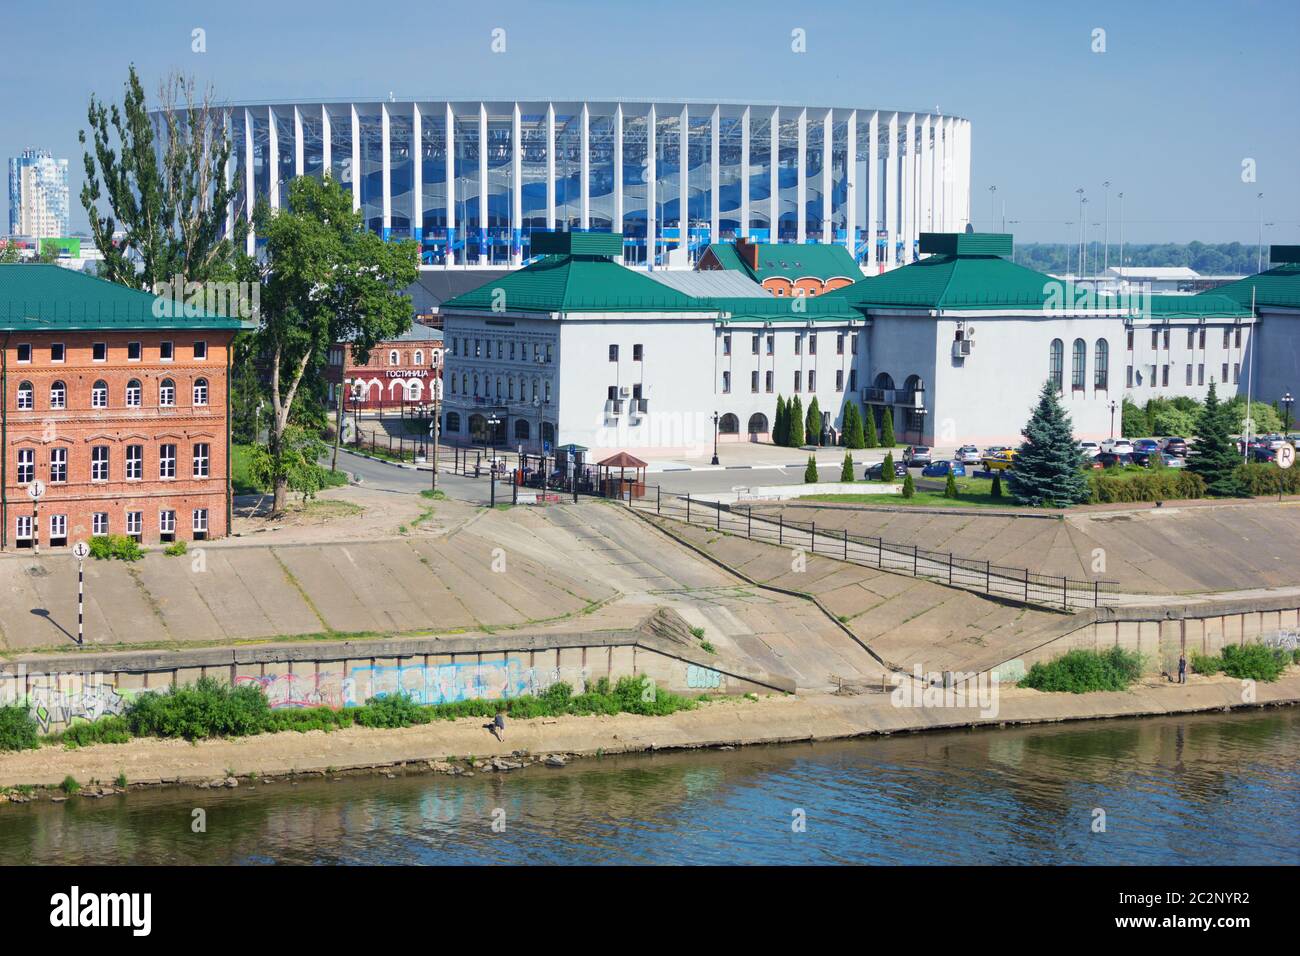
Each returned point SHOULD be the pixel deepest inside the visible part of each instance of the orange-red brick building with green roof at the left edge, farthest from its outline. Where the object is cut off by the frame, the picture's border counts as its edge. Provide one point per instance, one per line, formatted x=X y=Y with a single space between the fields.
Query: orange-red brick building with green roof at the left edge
x=122 y=414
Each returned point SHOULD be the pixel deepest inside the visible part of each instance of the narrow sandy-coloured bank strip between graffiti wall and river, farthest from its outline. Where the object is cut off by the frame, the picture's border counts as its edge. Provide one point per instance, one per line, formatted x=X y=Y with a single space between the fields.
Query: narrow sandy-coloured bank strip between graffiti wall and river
x=720 y=724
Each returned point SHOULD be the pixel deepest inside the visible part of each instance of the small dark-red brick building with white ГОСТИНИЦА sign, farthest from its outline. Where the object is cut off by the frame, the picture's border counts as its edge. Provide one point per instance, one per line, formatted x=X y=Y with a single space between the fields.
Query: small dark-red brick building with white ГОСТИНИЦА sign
x=406 y=370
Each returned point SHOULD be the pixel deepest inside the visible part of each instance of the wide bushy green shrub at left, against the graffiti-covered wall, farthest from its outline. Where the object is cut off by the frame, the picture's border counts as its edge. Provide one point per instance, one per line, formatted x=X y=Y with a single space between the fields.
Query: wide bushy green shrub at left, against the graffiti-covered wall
x=206 y=710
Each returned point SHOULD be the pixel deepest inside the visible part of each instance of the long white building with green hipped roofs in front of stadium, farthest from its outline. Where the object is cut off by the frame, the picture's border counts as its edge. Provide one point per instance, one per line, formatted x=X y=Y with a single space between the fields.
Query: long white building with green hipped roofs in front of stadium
x=956 y=347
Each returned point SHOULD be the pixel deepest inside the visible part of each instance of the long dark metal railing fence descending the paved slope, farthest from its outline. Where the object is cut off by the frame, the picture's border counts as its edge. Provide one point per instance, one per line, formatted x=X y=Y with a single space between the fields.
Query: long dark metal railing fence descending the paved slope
x=1016 y=583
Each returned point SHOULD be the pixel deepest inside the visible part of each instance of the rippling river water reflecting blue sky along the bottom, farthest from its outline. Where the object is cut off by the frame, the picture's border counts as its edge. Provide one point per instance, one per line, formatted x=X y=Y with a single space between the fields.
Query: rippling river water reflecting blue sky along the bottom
x=1220 y=789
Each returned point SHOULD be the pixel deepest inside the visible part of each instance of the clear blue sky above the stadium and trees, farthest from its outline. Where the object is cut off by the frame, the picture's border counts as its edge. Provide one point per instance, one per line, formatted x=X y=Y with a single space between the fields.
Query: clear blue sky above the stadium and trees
x=1181 y=97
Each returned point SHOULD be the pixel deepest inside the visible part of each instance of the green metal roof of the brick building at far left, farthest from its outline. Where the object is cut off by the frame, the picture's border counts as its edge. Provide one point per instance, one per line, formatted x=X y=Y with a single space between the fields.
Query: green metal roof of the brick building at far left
x=42 y=297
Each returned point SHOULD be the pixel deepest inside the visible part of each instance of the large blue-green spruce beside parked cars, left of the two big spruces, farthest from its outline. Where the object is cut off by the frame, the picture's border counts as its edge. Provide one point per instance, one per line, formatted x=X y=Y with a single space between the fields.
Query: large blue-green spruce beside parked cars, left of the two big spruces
x=1047 y=470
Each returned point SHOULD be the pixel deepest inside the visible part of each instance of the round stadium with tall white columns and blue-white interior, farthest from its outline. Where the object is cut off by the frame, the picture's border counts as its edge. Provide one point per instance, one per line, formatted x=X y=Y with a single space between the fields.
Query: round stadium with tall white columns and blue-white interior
x=471 y=181
